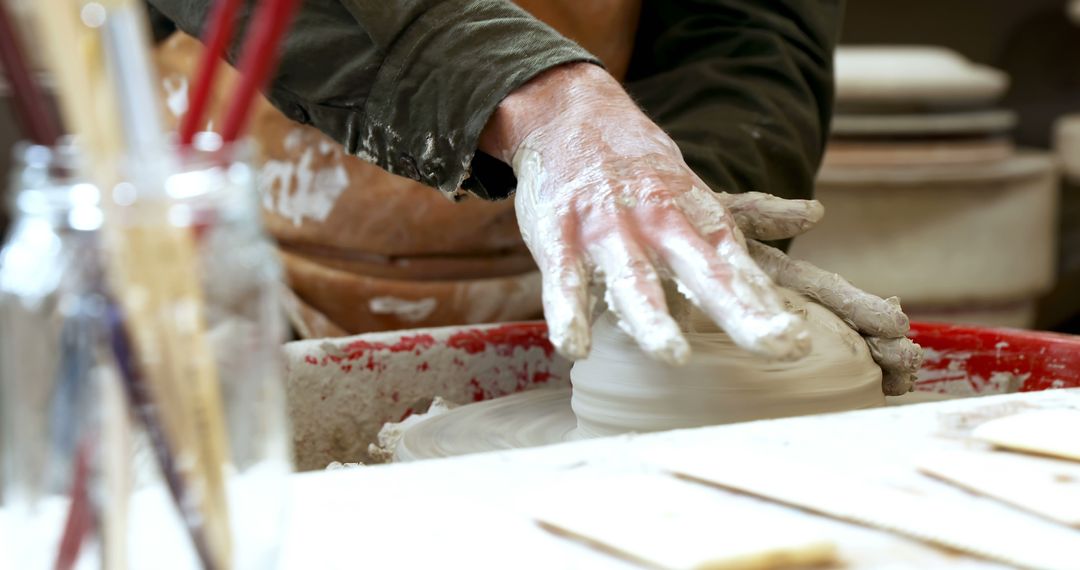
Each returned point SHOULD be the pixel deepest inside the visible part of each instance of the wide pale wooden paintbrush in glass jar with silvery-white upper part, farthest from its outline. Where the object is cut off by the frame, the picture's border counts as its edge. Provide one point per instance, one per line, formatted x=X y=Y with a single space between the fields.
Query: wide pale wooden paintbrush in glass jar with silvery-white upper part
x=155 y=269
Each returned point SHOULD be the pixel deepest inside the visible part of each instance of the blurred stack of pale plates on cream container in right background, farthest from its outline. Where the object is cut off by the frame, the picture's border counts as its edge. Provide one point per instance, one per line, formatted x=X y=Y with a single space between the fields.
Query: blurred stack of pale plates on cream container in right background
x=926 y=196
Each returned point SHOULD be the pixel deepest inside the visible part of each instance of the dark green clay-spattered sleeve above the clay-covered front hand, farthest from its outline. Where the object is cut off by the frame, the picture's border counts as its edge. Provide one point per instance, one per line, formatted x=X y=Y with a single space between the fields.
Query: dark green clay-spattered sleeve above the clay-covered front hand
x=406 y=85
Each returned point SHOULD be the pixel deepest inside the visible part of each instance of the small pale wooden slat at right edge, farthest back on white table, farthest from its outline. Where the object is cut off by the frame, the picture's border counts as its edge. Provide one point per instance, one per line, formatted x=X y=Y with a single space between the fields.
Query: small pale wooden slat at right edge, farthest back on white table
x=1055 y=433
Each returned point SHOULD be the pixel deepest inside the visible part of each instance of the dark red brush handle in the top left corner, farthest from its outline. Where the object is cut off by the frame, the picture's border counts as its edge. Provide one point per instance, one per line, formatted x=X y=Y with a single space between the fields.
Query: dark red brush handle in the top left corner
x=31 y=108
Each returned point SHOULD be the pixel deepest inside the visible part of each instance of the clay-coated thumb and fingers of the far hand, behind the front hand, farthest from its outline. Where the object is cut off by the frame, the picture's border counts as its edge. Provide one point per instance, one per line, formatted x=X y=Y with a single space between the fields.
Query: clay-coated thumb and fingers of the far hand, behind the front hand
x=882 y=322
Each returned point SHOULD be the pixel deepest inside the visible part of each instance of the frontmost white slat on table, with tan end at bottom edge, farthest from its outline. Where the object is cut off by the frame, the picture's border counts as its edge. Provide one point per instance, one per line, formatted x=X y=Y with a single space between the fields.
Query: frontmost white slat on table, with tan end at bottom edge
x=660 y=522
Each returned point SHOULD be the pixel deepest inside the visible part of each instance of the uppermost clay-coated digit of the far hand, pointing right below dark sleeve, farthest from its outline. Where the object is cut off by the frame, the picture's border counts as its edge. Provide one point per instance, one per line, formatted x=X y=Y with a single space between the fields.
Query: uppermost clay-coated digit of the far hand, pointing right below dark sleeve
x=764 y=216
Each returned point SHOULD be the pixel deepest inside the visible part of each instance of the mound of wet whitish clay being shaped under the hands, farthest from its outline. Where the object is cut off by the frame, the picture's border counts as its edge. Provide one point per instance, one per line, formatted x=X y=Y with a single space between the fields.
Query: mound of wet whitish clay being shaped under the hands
x=619 y=390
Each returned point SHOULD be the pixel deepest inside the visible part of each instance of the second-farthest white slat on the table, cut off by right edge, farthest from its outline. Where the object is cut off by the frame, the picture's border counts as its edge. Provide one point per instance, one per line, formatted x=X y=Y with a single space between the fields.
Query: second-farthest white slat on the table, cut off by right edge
x=1047 y=487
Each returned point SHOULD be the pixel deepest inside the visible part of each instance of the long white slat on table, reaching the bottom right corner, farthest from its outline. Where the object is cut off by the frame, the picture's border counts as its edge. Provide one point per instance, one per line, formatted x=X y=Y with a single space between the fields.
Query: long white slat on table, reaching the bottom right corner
x=982 y=528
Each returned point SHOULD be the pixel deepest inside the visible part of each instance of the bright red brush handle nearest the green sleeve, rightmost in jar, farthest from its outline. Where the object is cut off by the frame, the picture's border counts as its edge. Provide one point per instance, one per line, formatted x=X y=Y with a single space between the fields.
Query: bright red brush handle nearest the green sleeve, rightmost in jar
x=259 y=59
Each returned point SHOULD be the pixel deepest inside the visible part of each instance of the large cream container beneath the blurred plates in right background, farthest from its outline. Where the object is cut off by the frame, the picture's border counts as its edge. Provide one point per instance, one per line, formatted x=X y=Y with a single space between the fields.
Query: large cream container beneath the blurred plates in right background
x=940 y=236
